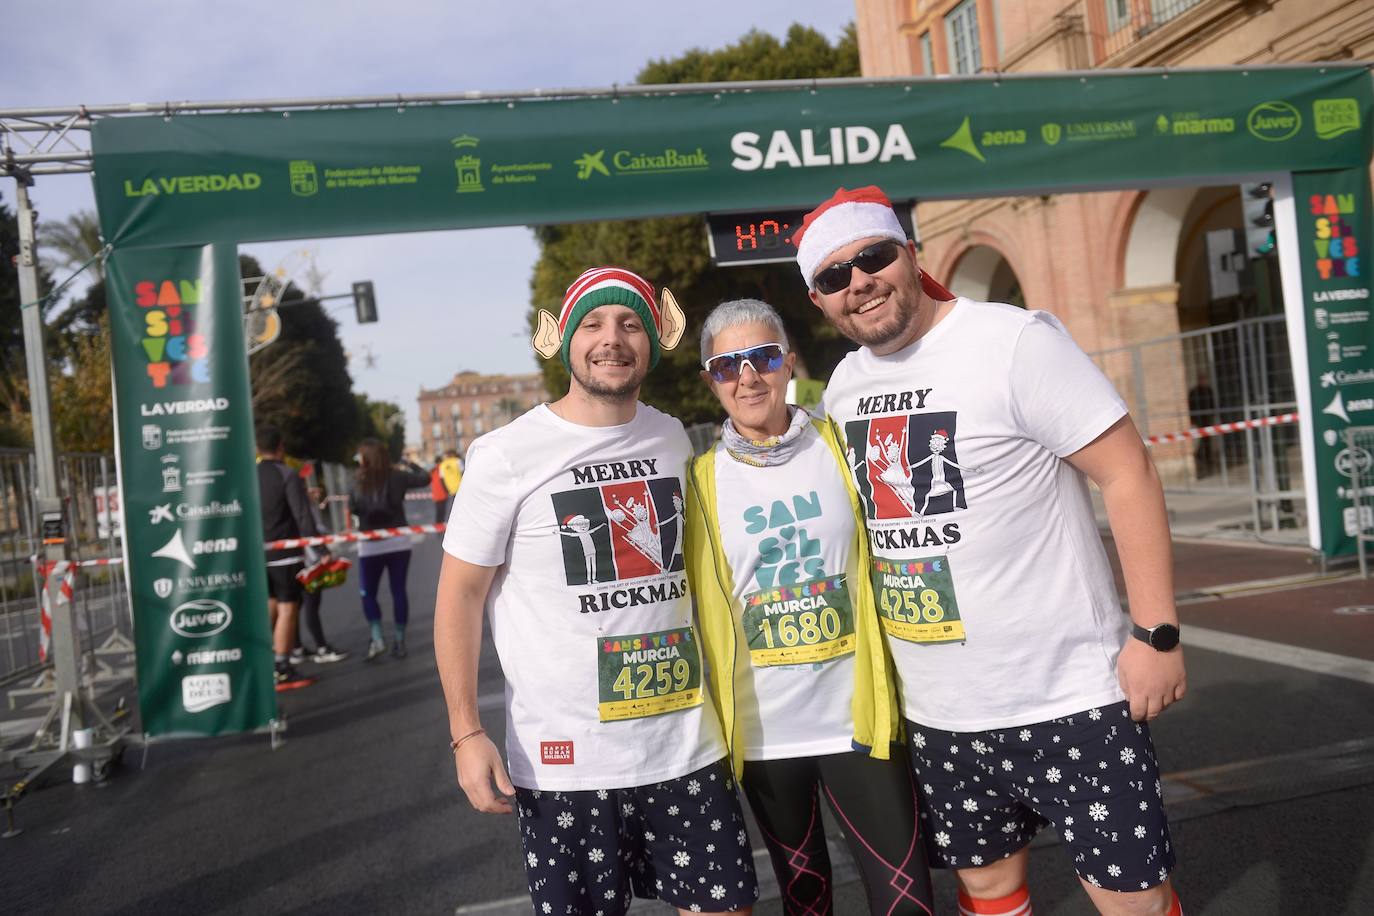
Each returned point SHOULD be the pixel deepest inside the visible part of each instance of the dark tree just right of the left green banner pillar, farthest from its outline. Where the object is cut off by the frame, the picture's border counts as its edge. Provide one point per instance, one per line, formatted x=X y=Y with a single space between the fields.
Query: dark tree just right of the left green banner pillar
x=302 y=382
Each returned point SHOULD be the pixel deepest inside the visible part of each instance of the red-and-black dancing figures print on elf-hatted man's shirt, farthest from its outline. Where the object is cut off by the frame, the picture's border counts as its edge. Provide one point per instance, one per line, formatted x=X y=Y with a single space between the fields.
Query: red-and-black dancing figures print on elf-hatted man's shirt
x=620 y=531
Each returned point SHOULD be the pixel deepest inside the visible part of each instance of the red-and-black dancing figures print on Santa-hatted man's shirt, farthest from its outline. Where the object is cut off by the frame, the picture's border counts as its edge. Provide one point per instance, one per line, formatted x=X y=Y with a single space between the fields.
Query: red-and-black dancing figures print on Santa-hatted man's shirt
x=908 y=466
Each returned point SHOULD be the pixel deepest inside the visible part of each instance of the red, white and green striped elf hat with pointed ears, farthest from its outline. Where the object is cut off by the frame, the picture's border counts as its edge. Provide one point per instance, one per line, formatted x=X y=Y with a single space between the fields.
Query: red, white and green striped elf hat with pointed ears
x=611 y=286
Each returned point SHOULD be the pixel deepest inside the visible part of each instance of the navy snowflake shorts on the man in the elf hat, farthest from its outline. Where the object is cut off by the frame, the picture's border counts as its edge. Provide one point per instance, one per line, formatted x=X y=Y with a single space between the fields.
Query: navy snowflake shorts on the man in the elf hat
x=682 y=841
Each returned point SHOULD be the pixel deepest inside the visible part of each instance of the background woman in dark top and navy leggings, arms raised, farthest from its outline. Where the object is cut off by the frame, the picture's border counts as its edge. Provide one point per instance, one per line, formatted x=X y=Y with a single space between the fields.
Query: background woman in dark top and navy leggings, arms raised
x=379 y=501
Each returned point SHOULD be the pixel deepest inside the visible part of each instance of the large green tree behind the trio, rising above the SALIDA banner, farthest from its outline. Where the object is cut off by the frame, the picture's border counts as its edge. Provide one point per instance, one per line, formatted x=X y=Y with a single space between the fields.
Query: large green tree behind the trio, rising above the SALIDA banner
x=673 y=252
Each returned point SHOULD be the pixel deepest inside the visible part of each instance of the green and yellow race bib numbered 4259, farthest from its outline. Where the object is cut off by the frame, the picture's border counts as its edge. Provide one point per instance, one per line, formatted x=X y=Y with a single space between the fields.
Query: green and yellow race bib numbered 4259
x=648 y=675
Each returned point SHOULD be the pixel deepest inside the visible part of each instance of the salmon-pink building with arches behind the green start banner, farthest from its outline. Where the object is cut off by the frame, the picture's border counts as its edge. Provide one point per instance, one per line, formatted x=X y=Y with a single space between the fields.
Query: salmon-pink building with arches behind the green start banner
x=1125 y=267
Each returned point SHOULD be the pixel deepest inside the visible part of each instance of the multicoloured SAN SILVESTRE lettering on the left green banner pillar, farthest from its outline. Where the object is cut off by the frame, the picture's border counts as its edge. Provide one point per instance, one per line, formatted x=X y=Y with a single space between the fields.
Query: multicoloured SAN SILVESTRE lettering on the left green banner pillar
x=177 y=354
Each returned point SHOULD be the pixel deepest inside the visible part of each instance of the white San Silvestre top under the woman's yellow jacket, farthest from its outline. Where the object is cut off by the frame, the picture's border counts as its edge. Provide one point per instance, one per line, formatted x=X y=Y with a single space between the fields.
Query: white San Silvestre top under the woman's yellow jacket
x=788 y=532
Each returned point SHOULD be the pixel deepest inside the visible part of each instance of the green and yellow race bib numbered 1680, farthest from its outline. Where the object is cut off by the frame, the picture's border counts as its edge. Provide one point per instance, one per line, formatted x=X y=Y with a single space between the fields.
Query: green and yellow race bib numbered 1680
x=799 y=624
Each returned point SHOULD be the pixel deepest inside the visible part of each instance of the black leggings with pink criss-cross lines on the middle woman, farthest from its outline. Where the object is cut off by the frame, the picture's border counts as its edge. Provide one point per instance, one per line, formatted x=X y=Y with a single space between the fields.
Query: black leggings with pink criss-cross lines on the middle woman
x=875 y=803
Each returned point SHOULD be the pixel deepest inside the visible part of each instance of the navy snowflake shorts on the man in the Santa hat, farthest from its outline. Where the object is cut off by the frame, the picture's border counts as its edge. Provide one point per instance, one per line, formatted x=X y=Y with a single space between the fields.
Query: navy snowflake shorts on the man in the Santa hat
x=1093 y=775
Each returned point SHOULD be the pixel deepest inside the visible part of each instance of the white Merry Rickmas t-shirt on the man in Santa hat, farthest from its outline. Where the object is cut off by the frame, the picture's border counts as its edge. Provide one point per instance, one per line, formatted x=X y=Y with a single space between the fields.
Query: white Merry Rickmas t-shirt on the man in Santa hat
x=990 y=573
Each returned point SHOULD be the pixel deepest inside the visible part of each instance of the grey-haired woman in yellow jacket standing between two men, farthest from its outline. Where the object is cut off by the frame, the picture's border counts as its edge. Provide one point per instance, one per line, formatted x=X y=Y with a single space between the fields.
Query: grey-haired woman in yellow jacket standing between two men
x=800 y=672
